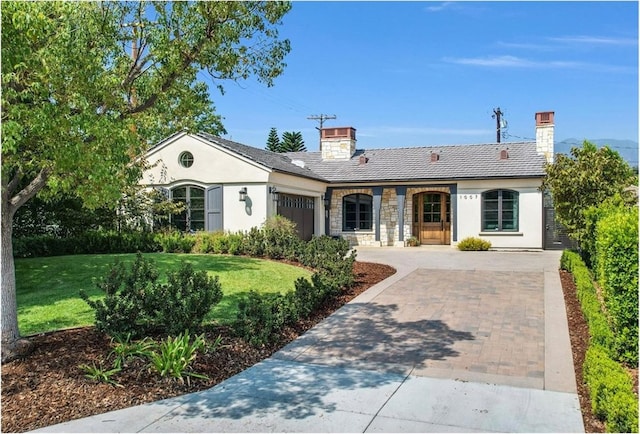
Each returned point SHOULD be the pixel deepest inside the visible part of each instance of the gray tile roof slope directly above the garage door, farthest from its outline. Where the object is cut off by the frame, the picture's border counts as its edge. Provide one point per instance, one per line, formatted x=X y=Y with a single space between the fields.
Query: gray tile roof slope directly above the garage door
x=272 y=160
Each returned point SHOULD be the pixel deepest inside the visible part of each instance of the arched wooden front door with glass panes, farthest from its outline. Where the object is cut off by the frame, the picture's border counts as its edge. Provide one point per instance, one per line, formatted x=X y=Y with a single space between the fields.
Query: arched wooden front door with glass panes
x=432 y=217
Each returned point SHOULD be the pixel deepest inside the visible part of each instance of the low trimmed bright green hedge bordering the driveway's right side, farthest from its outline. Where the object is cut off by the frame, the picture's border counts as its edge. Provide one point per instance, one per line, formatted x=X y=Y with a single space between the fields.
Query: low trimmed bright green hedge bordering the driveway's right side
x=611 y=388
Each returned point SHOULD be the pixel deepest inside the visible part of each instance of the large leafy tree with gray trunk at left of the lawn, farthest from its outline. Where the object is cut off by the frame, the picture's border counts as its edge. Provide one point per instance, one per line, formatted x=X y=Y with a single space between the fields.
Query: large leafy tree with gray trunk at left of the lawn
x=87 y=86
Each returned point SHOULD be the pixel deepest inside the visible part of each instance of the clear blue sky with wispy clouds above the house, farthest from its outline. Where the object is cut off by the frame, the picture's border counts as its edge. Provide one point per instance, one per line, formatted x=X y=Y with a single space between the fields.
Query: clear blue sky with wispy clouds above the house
x=431 y=73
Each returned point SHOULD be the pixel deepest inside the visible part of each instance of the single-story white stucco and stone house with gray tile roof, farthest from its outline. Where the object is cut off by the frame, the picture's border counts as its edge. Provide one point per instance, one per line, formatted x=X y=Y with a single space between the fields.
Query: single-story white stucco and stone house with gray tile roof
x=373 y=197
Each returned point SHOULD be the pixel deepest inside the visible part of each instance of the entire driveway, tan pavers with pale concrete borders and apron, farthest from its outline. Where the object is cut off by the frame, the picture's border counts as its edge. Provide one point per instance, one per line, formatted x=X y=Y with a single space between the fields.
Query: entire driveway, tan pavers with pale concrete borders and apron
x=453 y=342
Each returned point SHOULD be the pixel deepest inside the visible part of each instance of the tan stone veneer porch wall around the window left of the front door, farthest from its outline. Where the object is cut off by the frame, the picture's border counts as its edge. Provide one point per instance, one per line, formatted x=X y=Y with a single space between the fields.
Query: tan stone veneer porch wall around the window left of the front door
x=389 y=233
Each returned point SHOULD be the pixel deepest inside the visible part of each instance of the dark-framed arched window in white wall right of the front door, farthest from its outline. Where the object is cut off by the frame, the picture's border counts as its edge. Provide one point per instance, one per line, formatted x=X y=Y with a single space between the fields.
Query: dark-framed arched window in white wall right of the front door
x=500 y=210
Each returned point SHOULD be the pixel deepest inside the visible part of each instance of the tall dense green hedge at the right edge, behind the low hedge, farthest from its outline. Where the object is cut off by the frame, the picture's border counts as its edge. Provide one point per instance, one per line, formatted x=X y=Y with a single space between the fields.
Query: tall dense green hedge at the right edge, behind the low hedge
x=617 y=271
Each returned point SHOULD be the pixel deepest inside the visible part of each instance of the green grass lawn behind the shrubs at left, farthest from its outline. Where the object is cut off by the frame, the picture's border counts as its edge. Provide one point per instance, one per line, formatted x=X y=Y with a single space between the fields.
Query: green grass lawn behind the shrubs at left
x=48 y=288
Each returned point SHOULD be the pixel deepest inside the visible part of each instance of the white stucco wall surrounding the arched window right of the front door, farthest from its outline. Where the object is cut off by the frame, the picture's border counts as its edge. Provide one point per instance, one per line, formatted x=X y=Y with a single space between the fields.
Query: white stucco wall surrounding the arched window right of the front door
x=529 y=234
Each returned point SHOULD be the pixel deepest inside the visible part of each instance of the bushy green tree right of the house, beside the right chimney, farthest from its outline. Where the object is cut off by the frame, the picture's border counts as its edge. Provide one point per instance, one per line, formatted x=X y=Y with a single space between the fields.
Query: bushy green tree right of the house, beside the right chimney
x=585 y=178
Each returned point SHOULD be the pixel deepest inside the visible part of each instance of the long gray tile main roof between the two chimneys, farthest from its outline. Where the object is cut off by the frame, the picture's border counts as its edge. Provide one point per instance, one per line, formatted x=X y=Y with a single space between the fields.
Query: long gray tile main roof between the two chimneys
x=414 y=164
